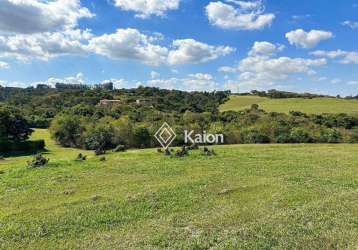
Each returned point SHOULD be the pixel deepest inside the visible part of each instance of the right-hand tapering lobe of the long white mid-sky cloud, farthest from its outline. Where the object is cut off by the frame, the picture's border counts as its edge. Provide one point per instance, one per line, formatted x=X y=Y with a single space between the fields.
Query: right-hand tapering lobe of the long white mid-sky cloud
x=189 y=51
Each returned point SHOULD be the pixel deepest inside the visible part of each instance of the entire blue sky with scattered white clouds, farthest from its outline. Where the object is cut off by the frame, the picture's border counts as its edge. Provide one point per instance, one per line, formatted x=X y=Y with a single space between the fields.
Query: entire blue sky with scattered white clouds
x=307 y=45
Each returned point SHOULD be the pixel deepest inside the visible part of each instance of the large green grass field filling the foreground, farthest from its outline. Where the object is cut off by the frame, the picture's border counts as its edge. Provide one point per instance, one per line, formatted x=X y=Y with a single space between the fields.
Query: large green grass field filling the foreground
x=246 y=197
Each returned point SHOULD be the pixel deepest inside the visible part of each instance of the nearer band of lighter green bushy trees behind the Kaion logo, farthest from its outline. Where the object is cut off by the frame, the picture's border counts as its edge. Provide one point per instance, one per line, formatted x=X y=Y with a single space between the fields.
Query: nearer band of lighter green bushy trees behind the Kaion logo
x=94 y=132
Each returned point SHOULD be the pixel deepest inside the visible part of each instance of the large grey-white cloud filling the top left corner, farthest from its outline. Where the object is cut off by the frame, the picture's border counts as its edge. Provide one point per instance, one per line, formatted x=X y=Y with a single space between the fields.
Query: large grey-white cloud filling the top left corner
x=35 y=16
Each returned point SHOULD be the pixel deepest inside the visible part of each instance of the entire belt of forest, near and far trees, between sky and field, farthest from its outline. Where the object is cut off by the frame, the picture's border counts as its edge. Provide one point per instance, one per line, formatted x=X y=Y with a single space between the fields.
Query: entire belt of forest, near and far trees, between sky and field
x=102 y=118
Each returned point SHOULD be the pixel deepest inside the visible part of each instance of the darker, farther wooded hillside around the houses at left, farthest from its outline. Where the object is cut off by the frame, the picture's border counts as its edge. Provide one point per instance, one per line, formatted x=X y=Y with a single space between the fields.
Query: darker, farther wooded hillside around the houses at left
x=41 y=105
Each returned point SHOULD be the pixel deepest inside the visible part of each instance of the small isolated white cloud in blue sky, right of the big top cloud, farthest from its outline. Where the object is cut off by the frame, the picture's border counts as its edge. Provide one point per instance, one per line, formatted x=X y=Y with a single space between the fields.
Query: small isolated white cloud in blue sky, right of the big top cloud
x=307 y=40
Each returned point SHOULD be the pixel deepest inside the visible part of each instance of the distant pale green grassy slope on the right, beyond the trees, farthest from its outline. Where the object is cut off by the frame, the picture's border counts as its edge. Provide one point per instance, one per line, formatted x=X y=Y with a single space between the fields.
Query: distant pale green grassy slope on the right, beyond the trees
x=310 y=106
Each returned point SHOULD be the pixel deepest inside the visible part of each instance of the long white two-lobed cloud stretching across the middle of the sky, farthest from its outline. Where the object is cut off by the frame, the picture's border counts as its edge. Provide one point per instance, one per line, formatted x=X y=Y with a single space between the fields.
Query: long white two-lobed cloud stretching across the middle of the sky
x=131 y=44
